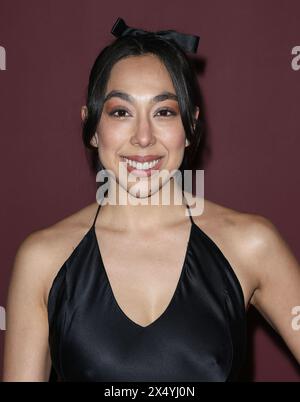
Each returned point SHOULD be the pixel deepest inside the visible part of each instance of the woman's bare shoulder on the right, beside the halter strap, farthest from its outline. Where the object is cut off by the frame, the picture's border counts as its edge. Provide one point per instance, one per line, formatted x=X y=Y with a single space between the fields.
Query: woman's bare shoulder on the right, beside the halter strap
x=244 y=238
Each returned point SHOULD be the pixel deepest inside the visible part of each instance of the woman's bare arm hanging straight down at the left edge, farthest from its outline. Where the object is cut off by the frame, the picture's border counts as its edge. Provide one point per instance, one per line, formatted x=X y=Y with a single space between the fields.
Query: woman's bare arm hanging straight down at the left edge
x=26 y=352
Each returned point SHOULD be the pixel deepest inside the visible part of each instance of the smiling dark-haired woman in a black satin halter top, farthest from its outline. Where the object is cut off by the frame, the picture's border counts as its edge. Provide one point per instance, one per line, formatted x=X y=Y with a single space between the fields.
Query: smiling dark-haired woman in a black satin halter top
x=133 y=292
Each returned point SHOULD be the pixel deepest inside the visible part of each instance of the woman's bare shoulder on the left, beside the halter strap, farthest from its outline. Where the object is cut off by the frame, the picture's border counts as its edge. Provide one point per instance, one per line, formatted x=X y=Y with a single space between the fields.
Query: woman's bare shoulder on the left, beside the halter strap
x=43 y=252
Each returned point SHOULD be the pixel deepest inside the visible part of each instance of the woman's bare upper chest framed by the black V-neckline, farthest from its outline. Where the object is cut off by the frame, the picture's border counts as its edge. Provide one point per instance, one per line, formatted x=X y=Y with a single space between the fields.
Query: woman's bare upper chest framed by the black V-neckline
x=143 y=271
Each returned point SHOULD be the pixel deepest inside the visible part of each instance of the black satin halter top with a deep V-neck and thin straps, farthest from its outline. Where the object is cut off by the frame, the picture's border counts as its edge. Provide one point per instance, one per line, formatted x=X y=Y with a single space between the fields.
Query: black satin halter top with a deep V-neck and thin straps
x=201 y=335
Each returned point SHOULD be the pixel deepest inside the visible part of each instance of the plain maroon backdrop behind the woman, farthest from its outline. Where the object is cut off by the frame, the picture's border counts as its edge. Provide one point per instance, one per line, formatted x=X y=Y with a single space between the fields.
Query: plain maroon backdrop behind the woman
x=252 y=100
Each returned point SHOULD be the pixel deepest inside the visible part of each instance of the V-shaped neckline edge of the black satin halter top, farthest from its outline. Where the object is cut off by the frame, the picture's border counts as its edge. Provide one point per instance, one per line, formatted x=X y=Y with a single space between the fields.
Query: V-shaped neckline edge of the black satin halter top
x=172 y=300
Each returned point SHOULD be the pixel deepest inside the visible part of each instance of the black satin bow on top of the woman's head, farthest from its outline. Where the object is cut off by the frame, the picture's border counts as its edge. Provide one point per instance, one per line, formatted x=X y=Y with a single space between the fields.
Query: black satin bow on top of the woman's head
x=189 y=43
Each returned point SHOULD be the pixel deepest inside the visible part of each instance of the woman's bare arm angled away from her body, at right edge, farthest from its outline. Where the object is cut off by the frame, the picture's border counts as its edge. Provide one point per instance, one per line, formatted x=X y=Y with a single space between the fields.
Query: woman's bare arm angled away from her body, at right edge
x=278 y=273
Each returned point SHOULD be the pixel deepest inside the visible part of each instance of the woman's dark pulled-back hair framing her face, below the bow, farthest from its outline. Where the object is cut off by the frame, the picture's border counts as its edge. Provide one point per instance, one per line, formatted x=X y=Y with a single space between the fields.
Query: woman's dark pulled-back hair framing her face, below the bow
x=182 y=73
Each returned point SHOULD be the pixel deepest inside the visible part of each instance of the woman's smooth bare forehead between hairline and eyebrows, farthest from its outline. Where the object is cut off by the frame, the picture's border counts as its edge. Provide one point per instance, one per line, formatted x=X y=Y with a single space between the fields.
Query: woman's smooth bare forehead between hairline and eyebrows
x=145 y=72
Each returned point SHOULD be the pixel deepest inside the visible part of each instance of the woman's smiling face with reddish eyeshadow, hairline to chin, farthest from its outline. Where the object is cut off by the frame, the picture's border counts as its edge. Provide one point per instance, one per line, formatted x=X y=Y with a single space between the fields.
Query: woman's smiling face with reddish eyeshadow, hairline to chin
x=135 y=123
